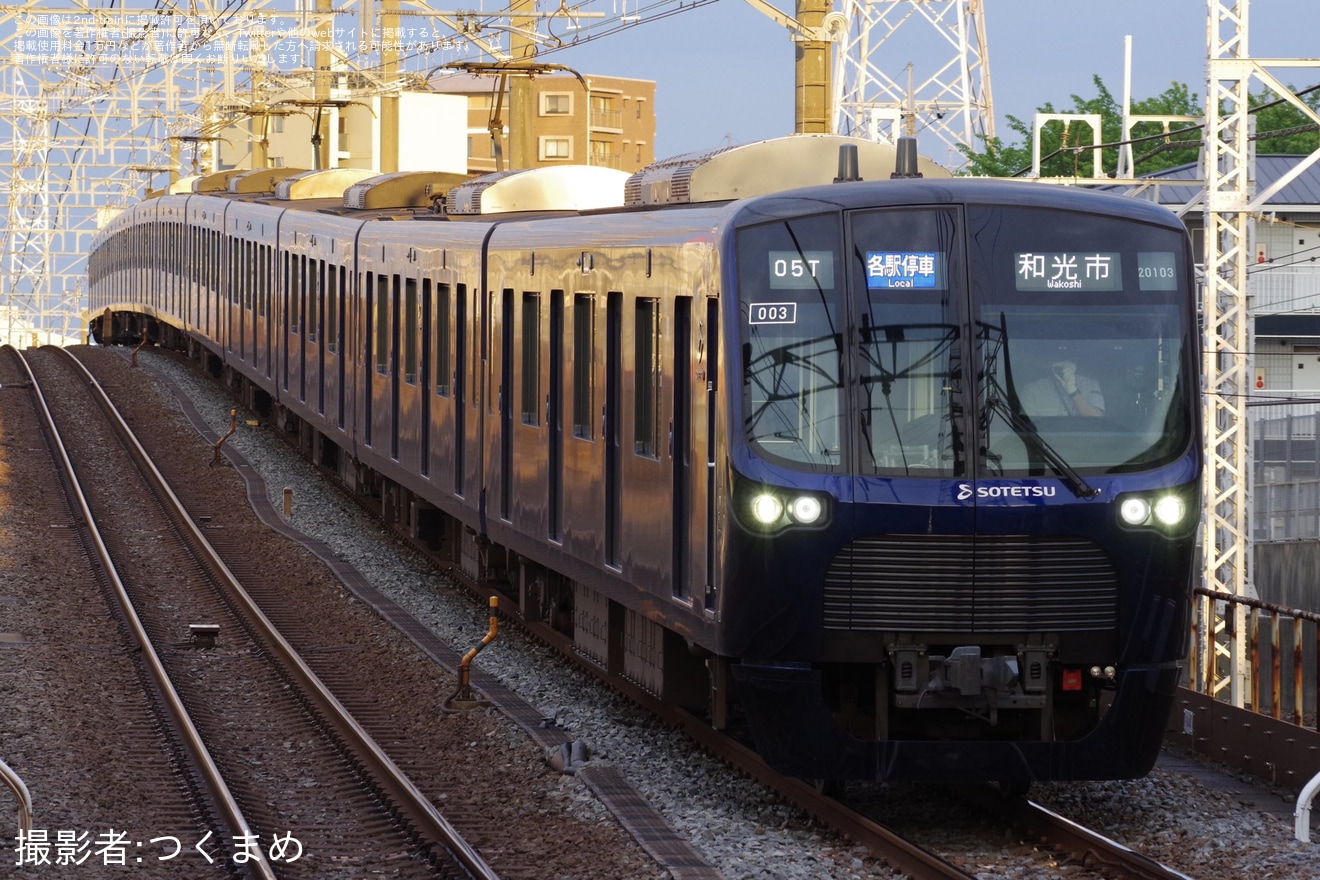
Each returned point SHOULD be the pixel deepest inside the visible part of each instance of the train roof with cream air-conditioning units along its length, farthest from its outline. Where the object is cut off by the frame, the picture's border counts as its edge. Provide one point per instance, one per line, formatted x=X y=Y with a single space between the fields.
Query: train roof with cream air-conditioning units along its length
x=838 y=171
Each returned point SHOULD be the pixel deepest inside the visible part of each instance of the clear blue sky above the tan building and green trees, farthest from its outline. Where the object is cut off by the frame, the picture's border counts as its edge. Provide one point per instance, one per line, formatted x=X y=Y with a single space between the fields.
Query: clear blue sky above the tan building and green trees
x=725 y=72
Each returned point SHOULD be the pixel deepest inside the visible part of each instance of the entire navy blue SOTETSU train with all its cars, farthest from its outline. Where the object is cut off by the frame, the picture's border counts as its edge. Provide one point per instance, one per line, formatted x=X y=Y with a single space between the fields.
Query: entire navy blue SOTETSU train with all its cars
x=900 y=474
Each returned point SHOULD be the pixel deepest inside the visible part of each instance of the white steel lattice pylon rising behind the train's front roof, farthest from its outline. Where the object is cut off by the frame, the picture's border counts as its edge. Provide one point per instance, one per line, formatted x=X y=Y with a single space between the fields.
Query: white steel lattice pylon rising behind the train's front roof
x=943 y=108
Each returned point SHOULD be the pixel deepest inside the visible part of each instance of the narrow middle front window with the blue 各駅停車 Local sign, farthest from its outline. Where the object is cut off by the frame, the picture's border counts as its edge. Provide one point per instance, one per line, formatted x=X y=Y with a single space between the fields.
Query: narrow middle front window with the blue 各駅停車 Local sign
x=907 y=349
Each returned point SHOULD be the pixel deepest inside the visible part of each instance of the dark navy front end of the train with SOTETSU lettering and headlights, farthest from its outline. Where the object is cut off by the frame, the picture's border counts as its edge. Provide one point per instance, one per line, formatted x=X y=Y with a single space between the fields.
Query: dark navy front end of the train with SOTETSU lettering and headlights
x=964 y=480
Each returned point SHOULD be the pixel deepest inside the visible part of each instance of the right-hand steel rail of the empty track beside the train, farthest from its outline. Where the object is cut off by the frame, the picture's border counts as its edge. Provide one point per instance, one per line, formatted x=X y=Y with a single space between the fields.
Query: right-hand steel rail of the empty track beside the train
x=409 y=799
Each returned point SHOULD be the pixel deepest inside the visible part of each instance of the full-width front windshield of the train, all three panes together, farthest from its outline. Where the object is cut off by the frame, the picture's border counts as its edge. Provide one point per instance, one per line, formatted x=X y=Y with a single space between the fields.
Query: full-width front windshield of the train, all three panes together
x=885 y=346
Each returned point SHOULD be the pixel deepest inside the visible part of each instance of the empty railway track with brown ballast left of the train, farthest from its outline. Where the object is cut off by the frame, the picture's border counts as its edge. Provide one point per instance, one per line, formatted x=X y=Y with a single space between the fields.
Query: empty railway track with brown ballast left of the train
x=284 y=769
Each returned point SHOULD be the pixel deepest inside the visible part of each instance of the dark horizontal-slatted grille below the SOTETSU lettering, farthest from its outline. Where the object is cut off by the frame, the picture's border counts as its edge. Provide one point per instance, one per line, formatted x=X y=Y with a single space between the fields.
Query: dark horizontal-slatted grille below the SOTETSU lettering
x=1016 y=584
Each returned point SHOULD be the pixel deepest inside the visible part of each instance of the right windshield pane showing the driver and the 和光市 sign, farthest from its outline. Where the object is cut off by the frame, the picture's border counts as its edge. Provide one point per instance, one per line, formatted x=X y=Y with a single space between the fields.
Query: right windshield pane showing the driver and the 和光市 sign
x=1082 y=334
